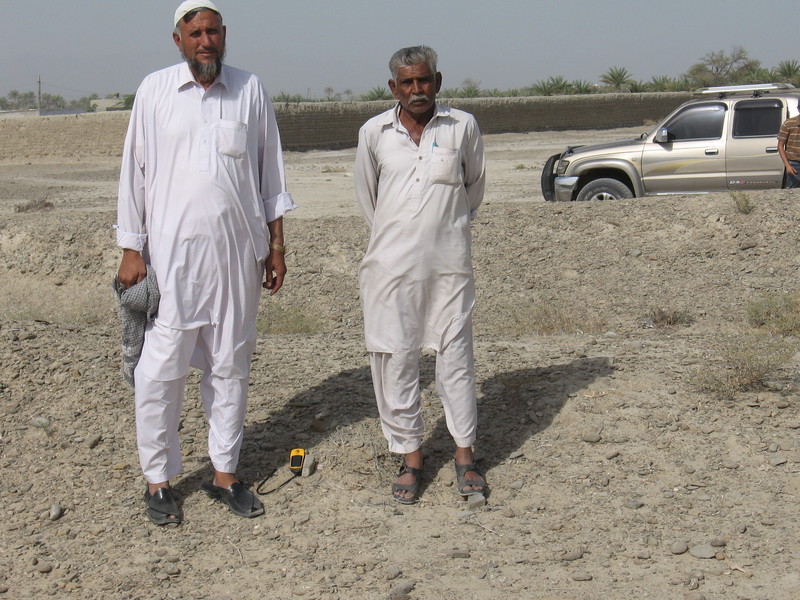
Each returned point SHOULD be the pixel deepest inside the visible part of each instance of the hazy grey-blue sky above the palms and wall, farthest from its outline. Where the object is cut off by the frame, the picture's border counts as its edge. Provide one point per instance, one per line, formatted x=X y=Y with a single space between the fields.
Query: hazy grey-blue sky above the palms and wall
x=305 y=46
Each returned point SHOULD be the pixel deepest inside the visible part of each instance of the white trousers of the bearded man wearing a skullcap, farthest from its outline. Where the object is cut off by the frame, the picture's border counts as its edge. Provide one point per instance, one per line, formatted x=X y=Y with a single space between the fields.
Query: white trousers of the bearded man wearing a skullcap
x=159 y=402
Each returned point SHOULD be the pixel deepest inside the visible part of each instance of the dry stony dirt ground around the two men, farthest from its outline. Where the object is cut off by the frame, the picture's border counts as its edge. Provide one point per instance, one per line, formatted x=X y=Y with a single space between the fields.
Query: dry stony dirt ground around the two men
x=612 y=474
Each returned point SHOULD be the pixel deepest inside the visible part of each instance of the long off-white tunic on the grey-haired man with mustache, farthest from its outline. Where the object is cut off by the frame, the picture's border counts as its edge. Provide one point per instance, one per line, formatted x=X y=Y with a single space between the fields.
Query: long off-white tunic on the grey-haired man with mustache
x=416 y=278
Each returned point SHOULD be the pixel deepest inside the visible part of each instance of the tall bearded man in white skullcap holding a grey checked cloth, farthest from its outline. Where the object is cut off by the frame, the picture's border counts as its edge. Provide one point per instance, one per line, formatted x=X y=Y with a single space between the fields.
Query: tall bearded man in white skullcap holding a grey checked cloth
x=202 y=196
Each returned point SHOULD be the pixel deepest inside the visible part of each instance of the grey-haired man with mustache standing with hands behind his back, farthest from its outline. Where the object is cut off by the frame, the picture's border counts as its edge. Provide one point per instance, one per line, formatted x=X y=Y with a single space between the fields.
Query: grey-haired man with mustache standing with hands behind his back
x=419 y=178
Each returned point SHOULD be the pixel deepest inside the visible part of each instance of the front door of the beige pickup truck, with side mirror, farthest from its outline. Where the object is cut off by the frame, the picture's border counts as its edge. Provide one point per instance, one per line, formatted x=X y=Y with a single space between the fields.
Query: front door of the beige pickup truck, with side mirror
x=690 y=153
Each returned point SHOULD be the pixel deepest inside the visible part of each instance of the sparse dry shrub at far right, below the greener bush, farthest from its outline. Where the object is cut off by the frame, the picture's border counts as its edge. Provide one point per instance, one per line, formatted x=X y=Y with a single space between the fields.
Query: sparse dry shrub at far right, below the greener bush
x=746 y=365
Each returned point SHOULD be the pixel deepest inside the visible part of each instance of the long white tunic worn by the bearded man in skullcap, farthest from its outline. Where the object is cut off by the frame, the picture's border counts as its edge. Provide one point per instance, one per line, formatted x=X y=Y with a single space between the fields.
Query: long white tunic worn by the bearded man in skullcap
x=202 y=175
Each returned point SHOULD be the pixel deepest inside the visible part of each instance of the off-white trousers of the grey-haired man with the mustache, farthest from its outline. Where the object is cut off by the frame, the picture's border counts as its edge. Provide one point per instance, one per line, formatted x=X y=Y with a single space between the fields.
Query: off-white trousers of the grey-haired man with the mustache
x=395 y=377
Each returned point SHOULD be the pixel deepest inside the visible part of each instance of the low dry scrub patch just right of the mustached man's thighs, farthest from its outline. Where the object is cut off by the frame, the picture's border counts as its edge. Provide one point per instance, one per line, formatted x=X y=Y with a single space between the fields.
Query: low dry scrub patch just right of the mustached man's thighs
x=550 y=319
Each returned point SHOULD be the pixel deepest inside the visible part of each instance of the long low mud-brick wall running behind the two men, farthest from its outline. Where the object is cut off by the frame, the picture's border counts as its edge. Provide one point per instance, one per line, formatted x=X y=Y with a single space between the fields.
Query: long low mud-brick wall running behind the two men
x=330 y=125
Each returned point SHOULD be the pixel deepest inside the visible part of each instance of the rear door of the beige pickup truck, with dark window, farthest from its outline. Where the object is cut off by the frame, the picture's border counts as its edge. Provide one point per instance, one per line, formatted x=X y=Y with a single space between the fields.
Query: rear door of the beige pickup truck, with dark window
x=751 y=158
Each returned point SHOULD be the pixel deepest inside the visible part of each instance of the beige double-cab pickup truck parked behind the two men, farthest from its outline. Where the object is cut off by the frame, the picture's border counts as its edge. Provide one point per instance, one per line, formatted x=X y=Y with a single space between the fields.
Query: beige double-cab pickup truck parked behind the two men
x=724 y=140
